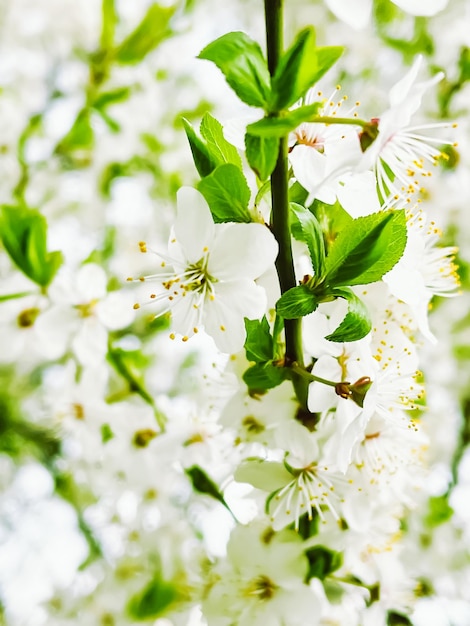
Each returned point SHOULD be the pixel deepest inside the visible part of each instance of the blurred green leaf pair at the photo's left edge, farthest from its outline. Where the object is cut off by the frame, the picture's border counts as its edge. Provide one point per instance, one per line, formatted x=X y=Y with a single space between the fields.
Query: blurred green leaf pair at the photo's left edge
x=24 y=236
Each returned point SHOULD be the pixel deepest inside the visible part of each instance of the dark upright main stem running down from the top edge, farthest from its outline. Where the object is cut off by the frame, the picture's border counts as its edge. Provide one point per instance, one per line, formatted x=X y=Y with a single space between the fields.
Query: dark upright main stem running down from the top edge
x=280 y=205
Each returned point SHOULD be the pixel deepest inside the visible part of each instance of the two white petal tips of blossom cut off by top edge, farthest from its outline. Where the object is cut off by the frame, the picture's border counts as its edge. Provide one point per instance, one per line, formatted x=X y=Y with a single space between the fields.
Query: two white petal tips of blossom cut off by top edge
x=357 y=13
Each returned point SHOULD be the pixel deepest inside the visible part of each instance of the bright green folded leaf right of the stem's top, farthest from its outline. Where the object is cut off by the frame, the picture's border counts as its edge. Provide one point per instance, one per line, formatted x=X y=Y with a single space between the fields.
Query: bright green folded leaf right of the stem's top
x=299 y=68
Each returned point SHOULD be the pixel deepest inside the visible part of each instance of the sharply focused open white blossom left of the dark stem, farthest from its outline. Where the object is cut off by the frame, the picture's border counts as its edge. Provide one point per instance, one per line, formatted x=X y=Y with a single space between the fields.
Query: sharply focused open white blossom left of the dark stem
x=211 y=282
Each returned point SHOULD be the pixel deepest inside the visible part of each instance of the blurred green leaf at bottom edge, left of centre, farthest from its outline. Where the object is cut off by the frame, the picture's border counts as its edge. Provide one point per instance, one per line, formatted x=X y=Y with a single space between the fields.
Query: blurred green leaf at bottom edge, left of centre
x=154 y=599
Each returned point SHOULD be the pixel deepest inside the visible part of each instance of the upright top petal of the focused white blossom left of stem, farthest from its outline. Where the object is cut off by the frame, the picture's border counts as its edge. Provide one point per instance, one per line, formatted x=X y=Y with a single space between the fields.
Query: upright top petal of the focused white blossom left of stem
x=194 y=226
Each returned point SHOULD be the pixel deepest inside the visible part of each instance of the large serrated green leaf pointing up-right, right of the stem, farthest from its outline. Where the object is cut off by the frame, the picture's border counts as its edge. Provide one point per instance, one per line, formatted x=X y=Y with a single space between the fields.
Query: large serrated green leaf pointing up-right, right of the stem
x=367 y=250
